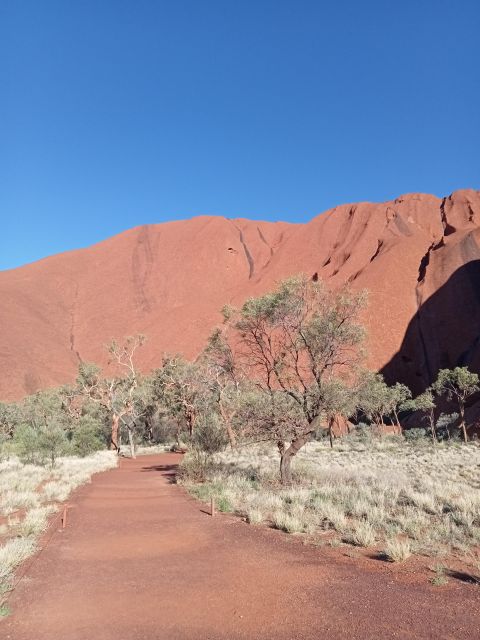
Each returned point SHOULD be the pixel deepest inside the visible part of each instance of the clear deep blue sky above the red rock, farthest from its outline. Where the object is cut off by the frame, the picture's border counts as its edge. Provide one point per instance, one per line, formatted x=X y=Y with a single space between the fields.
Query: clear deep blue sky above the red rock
x=118 y=113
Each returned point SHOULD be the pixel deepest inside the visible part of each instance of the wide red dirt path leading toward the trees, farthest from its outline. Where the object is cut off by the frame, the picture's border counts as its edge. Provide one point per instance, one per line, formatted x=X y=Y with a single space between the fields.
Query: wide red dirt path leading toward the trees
x=141 y=560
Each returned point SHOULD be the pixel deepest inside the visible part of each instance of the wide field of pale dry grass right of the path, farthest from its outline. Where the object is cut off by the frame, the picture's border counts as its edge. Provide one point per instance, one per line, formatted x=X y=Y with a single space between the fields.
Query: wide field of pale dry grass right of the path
x=404 y=496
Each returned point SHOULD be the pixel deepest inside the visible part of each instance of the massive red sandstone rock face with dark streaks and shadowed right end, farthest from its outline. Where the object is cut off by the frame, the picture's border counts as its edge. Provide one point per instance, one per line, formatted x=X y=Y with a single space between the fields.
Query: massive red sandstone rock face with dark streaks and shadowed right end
x=418 y=255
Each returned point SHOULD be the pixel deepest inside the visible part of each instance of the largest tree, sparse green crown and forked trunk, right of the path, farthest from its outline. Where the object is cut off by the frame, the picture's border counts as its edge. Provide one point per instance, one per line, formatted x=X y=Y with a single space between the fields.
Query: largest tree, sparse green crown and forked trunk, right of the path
x=293 y=342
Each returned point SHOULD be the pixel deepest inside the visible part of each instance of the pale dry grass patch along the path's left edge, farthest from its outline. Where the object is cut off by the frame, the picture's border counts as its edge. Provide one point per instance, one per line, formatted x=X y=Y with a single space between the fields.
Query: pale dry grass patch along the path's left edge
x=29 y=495
